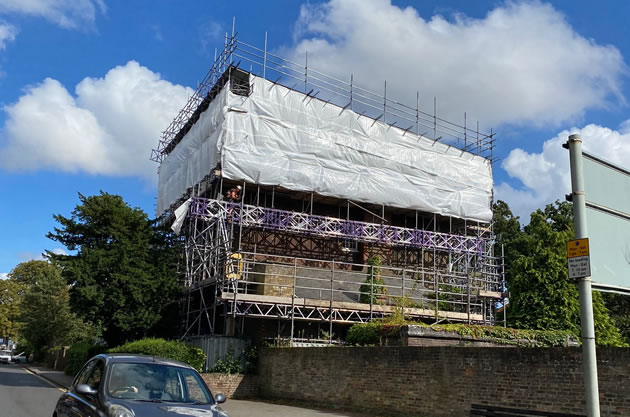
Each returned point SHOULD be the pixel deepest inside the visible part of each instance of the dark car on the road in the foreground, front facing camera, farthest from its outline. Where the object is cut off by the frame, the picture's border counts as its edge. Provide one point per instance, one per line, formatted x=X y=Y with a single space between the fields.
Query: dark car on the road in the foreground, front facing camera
x=138 y=386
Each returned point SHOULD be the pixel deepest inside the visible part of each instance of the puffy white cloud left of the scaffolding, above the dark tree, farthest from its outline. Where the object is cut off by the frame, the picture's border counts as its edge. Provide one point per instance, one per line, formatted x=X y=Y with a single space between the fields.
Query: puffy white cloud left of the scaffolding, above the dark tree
x=108 y=127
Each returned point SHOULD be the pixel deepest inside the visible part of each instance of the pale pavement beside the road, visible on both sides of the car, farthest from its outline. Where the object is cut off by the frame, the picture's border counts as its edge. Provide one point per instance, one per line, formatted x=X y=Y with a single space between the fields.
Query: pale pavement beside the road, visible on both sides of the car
x=235 y=408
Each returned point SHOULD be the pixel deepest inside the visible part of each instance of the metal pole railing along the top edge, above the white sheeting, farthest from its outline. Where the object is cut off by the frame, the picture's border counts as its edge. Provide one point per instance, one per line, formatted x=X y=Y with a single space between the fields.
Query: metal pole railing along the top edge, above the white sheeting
x=346 y=94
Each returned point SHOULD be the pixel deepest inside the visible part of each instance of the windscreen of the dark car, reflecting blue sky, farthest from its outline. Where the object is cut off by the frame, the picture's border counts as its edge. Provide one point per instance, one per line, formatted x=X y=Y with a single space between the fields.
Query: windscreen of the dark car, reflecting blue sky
x=152 y=381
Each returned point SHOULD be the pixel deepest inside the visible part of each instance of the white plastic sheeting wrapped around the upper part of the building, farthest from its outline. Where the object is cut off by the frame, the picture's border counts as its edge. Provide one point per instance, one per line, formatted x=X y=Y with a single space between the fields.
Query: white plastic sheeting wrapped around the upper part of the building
x=281 y=137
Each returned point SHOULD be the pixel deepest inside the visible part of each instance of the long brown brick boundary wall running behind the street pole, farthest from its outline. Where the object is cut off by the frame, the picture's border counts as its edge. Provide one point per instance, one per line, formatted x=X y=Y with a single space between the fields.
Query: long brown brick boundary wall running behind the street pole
x=443 y=381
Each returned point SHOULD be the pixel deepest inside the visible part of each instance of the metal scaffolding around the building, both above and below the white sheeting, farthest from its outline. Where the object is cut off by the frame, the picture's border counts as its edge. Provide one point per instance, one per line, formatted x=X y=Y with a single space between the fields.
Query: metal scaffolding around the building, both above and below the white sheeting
x=268 y=258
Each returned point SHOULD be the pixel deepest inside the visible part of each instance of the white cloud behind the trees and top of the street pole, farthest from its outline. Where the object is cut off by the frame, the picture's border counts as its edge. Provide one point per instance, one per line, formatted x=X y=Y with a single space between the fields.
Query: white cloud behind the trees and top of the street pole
x=545 y=176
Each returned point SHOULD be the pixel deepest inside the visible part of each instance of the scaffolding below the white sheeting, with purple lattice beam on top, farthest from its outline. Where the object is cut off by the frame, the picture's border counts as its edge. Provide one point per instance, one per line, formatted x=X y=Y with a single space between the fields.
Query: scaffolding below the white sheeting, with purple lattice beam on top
x=452 y=277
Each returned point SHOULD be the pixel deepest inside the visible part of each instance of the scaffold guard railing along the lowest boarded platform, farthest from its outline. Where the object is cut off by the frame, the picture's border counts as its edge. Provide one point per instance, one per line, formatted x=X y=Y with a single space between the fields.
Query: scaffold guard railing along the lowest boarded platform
x=462 y=290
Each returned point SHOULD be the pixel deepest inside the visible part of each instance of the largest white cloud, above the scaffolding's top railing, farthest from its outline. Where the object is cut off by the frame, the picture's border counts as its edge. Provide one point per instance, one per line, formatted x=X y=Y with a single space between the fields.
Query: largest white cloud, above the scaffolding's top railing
x=521 y=63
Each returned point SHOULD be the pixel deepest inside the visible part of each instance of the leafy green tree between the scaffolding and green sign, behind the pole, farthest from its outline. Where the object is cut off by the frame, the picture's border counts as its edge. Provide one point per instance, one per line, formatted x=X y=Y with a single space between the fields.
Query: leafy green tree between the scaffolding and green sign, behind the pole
x=541 y=295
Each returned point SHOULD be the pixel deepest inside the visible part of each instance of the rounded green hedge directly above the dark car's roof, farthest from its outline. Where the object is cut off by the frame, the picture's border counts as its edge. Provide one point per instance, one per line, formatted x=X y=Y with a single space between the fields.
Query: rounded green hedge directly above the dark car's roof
x=170 y=349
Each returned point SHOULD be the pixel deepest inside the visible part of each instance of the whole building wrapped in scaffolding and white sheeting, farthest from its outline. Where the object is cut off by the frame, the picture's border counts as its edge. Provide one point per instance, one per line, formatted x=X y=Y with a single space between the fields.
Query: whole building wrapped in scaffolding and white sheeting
x=342 y=205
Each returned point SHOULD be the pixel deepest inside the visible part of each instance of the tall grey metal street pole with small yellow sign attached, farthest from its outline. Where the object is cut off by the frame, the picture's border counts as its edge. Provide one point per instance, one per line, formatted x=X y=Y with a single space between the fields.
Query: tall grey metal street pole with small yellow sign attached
x=584 y=284
